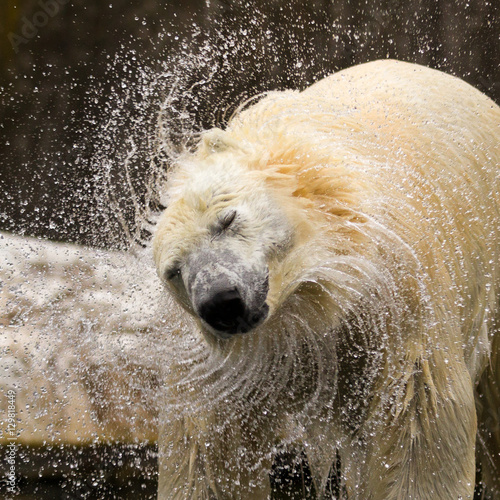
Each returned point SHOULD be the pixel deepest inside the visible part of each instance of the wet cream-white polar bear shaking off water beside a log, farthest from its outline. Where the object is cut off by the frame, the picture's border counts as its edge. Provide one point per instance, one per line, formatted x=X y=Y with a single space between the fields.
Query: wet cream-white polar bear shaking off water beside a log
x=339 y=251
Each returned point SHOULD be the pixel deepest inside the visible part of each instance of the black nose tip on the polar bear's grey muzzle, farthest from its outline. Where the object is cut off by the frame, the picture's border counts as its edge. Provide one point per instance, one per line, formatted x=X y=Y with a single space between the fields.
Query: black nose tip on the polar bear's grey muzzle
x=225 y=311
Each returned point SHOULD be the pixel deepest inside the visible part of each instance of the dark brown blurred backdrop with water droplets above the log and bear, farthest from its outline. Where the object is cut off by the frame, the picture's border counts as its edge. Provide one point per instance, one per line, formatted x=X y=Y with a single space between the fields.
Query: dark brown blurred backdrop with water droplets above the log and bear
x=82 y=82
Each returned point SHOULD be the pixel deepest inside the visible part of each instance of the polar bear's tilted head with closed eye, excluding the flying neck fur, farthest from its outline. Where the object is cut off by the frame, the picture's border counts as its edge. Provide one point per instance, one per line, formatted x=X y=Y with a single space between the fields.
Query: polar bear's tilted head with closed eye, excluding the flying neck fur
x=223 y=239
